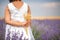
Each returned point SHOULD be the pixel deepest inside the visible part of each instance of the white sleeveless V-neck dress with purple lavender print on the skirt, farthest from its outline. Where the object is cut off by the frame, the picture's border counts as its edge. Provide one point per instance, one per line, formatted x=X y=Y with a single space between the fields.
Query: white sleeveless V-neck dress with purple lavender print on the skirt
x=18 y=33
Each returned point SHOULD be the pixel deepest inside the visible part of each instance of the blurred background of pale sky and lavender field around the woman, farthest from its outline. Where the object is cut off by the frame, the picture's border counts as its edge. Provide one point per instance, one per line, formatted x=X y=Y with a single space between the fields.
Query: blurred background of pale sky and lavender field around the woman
x=45 y=20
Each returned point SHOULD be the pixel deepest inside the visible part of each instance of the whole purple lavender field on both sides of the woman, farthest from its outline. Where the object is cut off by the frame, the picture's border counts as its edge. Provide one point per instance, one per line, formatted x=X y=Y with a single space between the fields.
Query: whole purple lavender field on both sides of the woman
x=42 y=29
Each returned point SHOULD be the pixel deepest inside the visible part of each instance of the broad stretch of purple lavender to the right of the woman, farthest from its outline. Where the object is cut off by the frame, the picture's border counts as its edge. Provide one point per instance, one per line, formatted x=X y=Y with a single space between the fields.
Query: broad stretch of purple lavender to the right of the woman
x=48 y=29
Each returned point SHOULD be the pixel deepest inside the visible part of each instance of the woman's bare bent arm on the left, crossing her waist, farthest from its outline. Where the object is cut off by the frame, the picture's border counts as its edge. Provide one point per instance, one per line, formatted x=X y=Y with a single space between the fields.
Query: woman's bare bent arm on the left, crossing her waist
x=9 y=21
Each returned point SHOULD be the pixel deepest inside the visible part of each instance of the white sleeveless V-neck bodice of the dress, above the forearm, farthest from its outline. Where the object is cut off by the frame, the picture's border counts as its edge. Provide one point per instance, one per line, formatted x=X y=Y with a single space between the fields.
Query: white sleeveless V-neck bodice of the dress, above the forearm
x=18 y=14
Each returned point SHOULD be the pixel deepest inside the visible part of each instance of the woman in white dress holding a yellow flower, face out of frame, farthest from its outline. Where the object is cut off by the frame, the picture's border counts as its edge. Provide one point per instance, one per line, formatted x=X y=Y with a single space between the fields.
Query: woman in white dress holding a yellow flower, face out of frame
x=18 y=21
